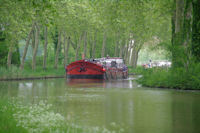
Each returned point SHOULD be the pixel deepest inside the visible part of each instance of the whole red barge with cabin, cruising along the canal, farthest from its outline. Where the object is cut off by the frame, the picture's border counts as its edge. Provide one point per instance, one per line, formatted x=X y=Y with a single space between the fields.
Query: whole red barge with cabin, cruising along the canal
x=102 y=68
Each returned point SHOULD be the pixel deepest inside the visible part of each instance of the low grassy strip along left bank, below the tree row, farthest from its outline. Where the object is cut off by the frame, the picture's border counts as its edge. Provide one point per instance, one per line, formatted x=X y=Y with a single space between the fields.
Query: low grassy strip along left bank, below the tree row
x=15 y=72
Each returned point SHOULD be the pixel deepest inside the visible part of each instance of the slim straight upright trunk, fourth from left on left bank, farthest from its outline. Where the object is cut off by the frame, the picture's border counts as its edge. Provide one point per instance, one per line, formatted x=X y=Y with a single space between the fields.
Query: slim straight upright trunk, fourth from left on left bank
x=45 y=47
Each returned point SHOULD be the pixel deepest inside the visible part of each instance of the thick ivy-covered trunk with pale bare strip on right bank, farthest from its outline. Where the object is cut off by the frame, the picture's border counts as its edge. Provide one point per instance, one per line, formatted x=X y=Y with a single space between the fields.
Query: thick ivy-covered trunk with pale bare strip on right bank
x=182 y=33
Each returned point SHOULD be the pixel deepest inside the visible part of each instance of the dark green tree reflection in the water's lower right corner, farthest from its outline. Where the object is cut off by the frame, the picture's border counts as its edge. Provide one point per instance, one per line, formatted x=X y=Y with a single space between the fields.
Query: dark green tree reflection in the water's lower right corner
x=186 y=113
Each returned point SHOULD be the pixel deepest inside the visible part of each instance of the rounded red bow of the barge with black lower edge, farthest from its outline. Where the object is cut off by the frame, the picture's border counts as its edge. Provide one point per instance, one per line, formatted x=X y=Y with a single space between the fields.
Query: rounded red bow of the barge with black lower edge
x=85 y=70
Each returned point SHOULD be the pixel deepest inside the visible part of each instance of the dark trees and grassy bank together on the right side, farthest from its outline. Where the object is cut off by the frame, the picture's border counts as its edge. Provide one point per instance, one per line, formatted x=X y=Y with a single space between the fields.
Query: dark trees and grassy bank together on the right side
x=184 y=48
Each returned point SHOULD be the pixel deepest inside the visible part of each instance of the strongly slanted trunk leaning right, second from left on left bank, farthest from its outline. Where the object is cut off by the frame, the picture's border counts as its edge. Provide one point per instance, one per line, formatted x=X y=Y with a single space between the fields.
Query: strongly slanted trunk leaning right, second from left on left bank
x=26 y=48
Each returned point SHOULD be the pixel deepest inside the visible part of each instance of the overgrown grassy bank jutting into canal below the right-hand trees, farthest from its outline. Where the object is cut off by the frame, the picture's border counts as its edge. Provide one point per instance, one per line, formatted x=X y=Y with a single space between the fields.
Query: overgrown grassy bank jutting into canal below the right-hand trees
x=178 y=78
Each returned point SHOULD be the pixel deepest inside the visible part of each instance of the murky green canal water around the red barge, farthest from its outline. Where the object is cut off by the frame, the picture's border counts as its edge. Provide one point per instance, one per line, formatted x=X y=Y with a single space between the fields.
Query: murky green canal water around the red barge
x=121 y=103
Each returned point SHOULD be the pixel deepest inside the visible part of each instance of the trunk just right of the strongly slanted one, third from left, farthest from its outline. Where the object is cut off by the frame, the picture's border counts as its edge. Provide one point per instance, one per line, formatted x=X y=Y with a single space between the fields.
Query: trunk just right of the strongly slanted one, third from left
x=37 y=34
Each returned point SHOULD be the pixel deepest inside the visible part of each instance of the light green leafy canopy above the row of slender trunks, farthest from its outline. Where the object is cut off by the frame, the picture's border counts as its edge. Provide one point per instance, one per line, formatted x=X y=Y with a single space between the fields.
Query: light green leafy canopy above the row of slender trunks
x=119 y=19
